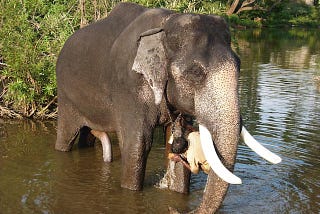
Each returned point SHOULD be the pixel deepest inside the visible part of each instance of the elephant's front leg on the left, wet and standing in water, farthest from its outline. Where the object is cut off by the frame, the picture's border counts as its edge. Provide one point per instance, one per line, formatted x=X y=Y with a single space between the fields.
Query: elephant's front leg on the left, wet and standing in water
x=135 y=147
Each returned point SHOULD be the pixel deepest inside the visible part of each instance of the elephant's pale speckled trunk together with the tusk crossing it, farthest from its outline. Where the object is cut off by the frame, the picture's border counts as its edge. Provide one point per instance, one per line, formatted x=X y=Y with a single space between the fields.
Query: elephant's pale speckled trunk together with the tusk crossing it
x=218 y=114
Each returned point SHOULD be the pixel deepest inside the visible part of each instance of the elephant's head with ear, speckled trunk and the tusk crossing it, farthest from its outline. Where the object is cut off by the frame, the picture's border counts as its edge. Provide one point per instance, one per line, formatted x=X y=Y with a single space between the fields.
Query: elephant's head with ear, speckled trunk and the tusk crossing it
x=189 y=64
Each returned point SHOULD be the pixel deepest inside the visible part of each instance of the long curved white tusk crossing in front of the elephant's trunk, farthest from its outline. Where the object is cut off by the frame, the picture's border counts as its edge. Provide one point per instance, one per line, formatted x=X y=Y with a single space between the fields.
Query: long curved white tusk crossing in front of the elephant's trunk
x=213 y=159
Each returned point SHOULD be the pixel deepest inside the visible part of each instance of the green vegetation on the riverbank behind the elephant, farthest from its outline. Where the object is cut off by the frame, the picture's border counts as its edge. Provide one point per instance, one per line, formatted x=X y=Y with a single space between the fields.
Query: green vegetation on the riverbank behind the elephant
x=32 y=33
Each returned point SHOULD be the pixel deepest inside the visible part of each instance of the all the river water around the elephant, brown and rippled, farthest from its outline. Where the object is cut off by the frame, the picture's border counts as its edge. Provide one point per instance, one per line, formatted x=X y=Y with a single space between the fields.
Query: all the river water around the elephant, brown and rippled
x=280 y=105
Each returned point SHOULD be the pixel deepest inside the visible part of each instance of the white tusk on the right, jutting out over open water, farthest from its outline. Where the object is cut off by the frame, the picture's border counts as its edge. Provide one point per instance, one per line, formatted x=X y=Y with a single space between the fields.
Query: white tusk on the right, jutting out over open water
x=258 y=148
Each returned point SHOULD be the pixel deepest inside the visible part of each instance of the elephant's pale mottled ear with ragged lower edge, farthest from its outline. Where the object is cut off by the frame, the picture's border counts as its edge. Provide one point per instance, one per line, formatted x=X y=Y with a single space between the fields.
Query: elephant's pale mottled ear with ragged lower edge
x=151 y=61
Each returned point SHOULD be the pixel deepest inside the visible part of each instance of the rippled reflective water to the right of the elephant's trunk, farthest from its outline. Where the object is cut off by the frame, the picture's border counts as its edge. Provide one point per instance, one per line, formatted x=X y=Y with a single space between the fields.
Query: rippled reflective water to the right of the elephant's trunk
x=281 y=105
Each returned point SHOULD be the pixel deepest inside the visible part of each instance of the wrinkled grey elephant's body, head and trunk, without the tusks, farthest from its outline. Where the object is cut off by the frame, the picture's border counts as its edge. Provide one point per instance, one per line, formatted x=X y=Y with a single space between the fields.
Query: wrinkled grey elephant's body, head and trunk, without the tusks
x=114 y=75
